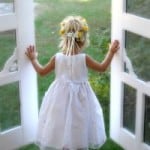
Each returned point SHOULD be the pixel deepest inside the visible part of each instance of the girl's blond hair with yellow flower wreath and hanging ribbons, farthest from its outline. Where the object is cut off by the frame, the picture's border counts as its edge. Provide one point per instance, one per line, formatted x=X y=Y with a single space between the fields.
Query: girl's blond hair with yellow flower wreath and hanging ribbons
x=74 y=34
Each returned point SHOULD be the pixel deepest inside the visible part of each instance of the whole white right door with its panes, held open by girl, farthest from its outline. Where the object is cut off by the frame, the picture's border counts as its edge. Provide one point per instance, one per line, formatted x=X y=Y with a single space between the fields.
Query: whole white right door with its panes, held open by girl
x=130 y=75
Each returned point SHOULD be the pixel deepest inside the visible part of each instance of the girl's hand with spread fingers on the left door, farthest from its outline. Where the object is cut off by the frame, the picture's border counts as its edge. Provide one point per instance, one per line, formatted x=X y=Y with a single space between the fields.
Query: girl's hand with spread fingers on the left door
x=31 y=53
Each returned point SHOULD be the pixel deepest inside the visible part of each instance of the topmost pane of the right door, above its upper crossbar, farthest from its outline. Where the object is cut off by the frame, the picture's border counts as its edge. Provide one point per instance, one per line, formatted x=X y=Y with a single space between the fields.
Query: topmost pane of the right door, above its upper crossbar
x=138 y=7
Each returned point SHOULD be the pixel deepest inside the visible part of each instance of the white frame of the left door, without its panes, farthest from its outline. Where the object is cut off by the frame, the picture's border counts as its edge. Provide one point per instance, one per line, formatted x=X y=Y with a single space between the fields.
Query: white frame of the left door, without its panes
x=22 y=20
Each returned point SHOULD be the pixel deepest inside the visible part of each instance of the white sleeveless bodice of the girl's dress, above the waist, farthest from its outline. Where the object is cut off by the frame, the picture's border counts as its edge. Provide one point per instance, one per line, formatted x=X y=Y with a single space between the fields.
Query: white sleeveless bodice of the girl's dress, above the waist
x=71 y=68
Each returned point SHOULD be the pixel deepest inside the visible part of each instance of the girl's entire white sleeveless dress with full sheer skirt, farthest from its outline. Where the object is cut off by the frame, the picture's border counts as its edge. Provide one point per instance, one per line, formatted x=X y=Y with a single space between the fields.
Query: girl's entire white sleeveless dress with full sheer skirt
x=70 y=117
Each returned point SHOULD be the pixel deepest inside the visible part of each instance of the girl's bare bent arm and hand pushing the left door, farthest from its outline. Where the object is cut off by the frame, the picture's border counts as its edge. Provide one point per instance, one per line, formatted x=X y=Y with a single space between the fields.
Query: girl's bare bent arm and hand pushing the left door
x=42 y=70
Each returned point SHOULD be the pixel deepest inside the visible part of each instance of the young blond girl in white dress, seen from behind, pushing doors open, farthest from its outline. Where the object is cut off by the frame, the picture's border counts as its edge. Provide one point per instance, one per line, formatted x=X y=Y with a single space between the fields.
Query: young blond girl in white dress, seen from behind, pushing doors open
x=71 y=117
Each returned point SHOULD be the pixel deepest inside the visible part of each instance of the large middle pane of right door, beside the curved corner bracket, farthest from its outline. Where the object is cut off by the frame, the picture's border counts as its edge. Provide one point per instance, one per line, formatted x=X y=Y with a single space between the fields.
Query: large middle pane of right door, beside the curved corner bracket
x=138 y=51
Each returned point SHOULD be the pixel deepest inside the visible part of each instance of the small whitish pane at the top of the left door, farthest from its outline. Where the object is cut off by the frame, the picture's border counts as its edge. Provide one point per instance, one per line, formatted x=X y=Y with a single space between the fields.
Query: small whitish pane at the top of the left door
x=6 y=6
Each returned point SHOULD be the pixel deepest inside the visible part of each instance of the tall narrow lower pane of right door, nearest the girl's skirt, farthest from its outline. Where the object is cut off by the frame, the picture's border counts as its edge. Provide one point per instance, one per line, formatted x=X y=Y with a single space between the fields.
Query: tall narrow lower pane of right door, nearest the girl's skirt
x=129 y=108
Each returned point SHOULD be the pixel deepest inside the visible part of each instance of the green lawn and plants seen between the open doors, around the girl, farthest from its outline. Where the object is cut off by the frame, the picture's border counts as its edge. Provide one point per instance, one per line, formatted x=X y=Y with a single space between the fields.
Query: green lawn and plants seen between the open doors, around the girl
x=49 y=14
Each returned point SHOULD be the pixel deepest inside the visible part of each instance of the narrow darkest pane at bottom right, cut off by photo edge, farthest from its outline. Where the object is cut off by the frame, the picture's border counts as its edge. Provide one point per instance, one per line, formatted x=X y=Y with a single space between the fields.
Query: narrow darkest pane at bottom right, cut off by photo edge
x=147 y=120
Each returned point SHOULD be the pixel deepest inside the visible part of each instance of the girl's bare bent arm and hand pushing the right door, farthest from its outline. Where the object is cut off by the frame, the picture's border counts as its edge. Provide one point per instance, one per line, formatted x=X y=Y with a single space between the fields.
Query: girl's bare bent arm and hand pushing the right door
x=91 y=63
